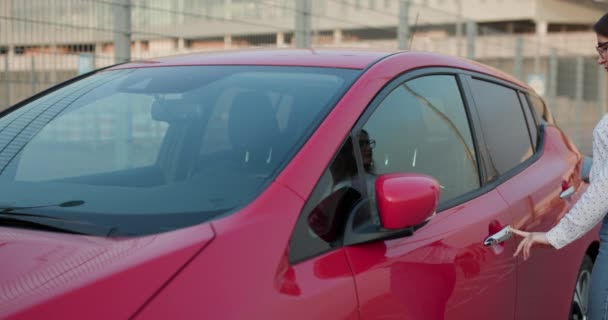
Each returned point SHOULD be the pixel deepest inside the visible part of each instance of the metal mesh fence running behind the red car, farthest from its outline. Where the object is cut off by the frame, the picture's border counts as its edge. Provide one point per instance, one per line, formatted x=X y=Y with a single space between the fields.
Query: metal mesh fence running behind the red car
x=44 y=42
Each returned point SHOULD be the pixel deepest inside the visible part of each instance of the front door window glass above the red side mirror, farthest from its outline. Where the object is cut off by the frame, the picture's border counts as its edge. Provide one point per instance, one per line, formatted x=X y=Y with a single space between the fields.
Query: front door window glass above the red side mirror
x=422 y=127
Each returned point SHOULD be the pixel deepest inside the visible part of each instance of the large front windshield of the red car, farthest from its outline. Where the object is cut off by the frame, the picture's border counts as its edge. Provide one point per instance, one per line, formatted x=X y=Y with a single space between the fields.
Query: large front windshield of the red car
x=154 y=149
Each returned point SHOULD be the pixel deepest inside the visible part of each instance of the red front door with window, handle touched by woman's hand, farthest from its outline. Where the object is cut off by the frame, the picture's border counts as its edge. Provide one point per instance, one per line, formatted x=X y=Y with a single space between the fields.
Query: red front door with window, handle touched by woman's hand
x=420 y=123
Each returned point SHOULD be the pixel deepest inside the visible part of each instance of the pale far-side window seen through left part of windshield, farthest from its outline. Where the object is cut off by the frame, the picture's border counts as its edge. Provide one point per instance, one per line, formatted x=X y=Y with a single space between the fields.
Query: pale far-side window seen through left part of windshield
x=100 y=137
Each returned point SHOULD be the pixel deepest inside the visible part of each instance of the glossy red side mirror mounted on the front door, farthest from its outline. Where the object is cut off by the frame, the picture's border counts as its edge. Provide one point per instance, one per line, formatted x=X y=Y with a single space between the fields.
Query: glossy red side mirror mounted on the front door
x=406 y=199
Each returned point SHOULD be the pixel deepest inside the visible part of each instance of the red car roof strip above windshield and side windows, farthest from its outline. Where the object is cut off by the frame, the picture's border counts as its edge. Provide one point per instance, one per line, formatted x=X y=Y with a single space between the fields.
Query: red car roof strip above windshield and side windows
x=328 y=58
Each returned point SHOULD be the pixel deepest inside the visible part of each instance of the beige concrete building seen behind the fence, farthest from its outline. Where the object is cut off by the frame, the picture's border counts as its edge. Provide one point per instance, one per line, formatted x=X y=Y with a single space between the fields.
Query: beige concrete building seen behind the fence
x=167 y=26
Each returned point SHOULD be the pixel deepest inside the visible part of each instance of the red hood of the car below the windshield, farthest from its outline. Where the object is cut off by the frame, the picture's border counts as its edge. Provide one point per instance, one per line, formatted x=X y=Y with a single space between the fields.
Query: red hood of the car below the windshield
x=57 y=276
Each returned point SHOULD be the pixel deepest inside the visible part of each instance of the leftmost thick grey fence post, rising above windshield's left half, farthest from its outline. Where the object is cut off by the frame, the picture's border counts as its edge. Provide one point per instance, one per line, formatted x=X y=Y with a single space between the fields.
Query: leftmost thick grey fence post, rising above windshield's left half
x=122 y=35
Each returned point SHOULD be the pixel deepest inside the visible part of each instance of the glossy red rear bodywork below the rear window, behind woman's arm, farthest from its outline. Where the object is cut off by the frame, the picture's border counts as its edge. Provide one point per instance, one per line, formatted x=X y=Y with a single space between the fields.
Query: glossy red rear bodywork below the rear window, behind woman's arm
x=536 y=206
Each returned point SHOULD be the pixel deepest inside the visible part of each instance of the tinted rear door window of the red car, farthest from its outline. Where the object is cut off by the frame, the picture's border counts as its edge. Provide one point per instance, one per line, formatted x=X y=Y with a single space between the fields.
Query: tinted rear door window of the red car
x=504 y=126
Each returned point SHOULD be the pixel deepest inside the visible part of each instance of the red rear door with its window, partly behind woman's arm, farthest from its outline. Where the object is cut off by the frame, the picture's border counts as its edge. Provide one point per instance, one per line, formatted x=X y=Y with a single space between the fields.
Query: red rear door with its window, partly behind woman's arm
x=531 y=180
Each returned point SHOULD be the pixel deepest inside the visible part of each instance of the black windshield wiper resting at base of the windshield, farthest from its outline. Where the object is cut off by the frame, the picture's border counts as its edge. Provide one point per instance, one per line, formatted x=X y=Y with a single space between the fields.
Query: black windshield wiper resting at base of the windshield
x=15 y=216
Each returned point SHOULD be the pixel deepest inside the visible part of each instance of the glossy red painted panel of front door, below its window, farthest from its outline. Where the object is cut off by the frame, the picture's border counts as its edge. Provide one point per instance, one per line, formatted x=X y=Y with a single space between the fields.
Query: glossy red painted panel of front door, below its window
x=443 y=269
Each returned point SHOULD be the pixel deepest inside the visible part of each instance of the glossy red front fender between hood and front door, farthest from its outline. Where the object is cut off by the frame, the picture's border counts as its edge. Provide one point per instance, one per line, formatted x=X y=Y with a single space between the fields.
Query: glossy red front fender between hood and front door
x=245 y=273
